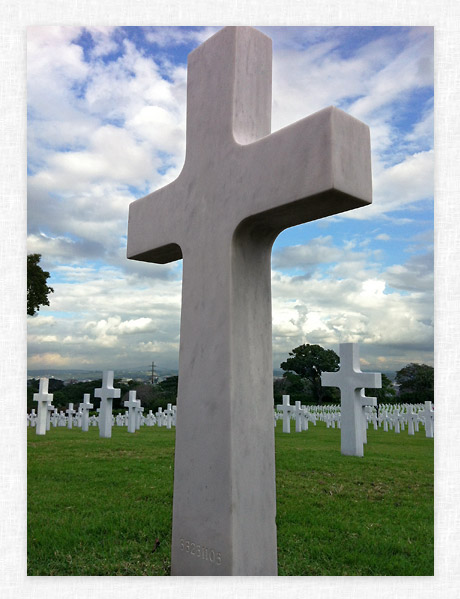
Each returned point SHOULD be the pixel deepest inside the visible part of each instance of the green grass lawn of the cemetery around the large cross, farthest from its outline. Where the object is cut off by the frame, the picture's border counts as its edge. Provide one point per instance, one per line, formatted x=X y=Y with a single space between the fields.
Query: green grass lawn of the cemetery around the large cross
x=103 y=507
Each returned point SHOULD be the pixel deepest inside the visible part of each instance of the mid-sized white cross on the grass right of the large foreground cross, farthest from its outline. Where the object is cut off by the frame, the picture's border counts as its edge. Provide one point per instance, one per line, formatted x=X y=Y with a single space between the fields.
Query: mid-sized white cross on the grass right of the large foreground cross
x=350 y=380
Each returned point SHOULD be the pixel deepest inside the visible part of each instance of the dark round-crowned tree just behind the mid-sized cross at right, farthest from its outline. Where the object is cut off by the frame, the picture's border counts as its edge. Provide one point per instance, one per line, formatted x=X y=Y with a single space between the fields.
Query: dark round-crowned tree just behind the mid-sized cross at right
x=309 y=362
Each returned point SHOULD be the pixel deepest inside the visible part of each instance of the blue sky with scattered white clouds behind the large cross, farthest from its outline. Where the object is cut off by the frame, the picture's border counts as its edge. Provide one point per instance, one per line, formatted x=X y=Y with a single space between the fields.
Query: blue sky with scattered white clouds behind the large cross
x=106 y=125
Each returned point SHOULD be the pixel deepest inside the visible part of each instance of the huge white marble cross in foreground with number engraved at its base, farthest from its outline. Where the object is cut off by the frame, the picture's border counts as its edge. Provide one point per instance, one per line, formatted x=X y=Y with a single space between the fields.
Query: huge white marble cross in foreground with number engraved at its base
x=239 y=188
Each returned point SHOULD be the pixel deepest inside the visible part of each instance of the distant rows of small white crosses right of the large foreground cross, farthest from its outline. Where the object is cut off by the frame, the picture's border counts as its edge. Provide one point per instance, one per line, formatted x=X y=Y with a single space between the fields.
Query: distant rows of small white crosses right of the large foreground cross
x=390 y=417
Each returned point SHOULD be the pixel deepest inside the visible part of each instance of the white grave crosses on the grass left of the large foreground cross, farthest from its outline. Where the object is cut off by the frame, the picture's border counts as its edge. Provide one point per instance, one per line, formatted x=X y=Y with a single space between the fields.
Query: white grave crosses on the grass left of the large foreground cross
x=105 y=419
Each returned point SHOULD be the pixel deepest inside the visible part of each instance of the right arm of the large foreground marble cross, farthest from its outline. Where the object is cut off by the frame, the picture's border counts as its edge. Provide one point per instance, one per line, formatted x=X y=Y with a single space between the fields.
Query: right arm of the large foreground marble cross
x=324 y=157
